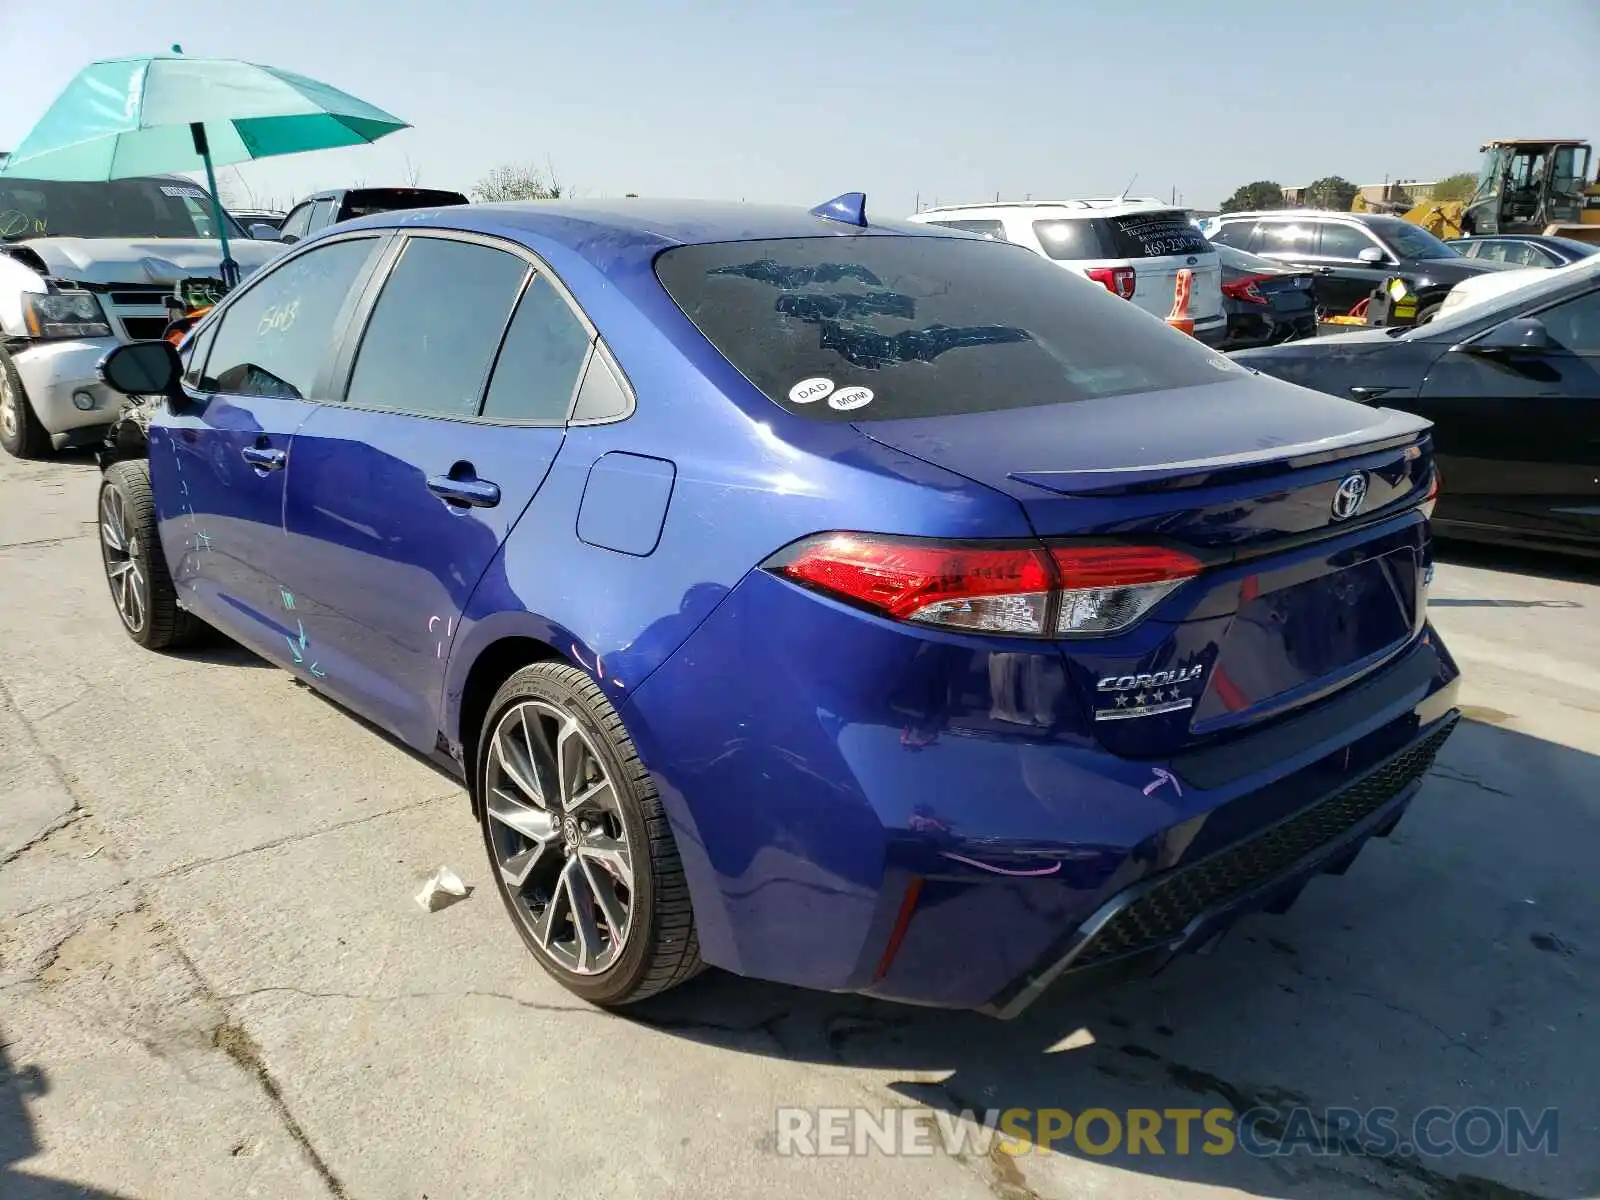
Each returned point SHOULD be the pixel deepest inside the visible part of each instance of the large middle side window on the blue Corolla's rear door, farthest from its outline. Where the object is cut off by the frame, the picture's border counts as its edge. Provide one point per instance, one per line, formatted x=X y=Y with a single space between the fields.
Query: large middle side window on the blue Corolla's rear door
x=436 y=327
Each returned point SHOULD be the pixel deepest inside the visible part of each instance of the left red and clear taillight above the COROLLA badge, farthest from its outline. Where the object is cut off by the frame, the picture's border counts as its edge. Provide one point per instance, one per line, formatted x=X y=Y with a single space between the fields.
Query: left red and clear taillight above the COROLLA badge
x=1031 y=591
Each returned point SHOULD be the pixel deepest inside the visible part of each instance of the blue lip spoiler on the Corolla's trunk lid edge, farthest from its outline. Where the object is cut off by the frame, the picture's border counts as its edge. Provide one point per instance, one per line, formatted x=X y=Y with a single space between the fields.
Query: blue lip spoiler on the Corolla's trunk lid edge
x=1394 y=431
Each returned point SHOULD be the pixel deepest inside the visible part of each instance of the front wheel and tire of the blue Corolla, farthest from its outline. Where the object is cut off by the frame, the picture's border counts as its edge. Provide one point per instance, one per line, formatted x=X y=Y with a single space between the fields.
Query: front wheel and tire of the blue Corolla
x=142 y=588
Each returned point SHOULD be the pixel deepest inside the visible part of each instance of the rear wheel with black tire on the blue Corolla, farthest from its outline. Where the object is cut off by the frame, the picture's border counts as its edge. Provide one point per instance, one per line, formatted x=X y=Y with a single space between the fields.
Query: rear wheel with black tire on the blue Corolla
x=578 y=841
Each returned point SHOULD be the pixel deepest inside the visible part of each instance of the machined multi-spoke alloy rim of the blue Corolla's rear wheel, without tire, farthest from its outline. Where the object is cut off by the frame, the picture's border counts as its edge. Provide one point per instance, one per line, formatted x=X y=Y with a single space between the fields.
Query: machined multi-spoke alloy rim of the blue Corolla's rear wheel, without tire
x=558 y=838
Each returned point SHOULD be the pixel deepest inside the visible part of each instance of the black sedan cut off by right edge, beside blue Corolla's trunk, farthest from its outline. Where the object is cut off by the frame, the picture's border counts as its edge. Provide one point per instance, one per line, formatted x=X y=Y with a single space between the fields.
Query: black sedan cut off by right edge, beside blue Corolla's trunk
x=1513 y=388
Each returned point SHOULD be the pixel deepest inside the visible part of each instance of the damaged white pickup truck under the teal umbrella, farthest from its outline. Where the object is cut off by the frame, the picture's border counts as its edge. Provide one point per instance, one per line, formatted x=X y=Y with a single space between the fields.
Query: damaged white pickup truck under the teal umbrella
x=86 y=266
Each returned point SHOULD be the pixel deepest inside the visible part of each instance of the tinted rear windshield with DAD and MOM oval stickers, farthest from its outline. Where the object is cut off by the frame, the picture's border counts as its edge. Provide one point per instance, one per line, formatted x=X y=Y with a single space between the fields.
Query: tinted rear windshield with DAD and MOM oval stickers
x=884 y=327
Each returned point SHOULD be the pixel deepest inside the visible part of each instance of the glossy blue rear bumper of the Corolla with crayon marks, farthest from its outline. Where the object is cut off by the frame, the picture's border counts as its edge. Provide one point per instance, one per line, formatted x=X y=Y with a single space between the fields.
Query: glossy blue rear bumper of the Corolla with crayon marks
x=930 y=820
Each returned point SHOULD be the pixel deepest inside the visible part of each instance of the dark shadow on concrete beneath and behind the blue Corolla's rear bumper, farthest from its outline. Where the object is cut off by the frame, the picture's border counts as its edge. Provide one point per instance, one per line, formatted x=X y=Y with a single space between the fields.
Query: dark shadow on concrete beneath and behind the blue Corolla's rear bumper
x=1450 y=967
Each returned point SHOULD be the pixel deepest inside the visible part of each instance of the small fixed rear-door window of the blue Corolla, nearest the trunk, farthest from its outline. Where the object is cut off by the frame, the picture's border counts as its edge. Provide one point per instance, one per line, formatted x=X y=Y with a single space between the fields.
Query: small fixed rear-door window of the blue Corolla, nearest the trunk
x=538 y=366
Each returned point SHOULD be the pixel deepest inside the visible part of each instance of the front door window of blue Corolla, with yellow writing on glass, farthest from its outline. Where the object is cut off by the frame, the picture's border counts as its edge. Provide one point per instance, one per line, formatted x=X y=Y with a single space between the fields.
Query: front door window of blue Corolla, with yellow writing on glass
x=274 y=338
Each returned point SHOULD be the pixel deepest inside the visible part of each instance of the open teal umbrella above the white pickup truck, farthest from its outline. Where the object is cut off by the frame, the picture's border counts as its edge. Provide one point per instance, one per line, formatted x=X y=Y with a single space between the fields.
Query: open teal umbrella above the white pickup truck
x=166 y=114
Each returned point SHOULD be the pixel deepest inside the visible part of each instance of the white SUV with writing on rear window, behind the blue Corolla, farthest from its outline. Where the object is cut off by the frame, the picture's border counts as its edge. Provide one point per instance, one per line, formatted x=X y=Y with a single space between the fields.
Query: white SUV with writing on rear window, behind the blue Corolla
x=1135 y=247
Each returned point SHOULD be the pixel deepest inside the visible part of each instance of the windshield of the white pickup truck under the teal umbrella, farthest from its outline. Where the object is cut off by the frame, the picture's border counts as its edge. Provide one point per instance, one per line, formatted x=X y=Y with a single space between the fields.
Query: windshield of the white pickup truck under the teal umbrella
x=116 y=209
